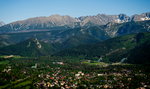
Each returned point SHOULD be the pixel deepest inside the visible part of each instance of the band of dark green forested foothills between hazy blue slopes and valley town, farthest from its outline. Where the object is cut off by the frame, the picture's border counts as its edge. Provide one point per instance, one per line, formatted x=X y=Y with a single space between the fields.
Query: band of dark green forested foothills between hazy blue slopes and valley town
x=133 y=47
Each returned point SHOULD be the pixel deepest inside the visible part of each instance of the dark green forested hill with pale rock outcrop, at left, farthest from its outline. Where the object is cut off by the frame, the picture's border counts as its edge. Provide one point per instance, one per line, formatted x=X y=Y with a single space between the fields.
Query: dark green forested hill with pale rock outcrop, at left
x=31 y=47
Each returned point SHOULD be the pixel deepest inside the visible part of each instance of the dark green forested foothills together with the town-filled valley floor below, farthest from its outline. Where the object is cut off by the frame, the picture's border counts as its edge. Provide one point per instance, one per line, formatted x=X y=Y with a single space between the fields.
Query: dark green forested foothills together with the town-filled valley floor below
x=33 y=64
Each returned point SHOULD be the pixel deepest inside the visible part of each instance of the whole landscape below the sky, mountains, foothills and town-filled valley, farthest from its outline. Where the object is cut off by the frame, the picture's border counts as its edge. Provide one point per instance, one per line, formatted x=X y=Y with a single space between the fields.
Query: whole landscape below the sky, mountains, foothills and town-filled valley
x=88 y=52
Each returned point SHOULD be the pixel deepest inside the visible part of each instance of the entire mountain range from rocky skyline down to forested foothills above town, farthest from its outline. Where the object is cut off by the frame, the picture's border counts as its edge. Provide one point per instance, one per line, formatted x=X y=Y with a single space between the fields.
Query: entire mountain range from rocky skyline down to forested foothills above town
x=112 y=37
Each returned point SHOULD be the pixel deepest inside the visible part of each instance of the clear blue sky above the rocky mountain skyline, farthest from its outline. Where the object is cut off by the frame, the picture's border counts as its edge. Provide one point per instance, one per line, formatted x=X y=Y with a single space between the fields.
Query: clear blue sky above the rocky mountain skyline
x=13 y=10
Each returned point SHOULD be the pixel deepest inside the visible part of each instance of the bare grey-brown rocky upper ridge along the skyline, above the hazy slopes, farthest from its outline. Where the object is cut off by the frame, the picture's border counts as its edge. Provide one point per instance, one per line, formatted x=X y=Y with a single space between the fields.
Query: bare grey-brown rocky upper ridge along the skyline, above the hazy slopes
x=55 y=22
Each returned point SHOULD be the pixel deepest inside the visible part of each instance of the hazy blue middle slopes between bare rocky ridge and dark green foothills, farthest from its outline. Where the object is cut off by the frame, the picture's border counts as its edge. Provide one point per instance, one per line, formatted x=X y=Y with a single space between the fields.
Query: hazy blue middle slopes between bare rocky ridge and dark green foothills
x=99 y=32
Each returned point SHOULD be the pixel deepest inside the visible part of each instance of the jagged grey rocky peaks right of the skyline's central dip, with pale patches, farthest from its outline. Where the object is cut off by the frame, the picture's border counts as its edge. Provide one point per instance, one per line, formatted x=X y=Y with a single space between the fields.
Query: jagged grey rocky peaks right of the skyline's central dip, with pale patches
x=102 y=19
